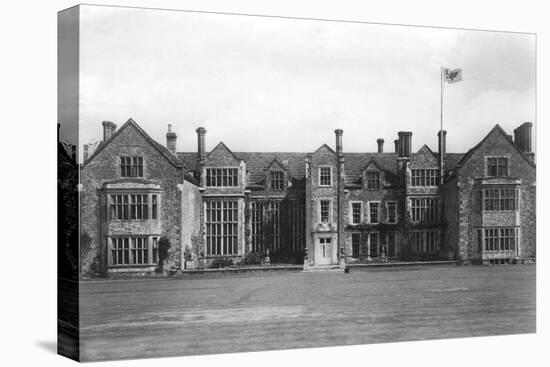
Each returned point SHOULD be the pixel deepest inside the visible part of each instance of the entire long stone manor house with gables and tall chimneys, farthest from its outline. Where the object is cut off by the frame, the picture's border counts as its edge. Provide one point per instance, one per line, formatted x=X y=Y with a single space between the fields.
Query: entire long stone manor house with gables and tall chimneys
x=328 y=207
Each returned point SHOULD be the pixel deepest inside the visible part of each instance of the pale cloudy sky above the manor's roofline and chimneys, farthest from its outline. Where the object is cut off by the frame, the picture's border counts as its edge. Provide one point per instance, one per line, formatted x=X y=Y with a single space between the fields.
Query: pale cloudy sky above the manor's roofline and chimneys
x=275 y=84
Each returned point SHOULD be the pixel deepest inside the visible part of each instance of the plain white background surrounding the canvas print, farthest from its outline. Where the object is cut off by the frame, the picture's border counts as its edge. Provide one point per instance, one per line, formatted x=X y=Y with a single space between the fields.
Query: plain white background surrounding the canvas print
x=28 y=171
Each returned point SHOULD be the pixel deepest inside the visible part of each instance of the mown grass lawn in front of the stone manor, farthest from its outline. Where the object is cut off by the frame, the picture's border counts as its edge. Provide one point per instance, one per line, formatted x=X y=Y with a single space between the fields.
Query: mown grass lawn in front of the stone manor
x=251 y=312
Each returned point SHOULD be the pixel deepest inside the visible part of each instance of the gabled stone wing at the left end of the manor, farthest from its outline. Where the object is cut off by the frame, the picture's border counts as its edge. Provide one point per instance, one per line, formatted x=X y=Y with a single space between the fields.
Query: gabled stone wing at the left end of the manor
x=163 y=176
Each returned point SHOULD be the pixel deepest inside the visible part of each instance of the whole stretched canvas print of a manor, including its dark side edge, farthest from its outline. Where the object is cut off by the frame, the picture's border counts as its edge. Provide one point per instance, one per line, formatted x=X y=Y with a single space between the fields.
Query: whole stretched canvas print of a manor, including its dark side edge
x=234 y=183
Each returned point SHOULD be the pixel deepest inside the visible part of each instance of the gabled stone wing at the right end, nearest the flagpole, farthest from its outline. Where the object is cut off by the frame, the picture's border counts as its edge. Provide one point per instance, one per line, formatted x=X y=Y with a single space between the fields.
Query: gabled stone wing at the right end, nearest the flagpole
x=471 y=176
